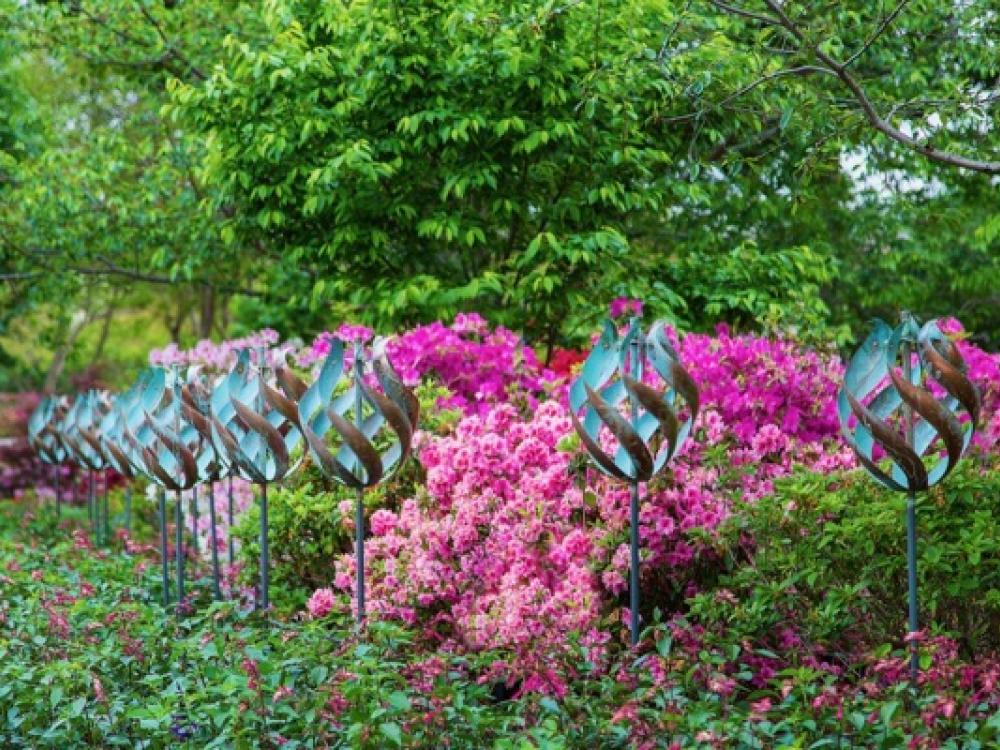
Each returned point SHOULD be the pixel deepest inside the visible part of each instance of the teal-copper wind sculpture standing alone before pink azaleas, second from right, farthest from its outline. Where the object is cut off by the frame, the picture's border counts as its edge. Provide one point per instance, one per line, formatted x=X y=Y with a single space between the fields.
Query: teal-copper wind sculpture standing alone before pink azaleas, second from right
x=612 y=377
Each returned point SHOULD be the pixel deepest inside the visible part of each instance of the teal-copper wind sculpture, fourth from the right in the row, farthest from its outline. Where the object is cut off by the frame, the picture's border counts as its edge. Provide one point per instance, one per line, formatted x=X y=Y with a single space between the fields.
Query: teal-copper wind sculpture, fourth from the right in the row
x=255 y=428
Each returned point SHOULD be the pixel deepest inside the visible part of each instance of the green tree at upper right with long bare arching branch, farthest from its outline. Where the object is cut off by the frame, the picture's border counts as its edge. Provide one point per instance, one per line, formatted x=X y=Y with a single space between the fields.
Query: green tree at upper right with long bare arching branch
x=901 y=97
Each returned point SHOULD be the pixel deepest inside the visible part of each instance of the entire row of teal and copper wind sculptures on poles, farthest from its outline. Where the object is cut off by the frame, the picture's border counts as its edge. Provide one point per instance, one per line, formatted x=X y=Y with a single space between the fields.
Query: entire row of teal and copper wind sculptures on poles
x=182 y=430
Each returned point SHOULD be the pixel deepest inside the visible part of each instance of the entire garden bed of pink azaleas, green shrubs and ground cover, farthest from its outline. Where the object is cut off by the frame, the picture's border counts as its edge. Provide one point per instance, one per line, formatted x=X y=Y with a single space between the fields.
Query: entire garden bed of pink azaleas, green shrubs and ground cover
x=772 y=577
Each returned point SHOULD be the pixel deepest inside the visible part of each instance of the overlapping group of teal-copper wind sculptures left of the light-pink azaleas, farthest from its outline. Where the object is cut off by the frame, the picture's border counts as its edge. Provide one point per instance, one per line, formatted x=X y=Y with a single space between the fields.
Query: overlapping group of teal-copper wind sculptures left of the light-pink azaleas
x=180 y=430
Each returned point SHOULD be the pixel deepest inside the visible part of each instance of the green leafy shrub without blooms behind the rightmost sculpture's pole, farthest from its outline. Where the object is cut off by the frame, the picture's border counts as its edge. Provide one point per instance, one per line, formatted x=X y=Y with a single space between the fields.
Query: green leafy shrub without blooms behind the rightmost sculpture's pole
x=829 y=557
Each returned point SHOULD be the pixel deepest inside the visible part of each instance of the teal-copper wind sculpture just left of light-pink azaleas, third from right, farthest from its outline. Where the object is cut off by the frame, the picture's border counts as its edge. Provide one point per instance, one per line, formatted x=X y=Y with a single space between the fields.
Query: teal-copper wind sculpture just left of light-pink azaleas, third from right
x=353 y=413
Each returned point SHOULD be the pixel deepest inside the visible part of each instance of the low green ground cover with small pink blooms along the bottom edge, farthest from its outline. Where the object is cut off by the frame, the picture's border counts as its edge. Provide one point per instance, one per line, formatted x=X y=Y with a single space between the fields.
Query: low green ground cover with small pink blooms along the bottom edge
x=88 y=658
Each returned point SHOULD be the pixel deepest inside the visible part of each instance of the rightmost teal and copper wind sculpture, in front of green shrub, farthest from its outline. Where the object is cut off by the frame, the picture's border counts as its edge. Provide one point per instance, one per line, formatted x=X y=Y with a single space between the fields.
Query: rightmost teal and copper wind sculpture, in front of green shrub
x=885 y=403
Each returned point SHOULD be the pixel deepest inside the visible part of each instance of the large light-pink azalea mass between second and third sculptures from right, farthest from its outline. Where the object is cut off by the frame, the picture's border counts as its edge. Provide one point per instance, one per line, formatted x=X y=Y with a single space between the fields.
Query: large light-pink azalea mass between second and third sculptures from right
x=492 y=553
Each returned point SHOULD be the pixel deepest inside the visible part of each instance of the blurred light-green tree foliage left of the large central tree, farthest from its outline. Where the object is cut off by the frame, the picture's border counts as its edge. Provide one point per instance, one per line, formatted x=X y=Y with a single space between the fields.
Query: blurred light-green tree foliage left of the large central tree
x=100 y=203
